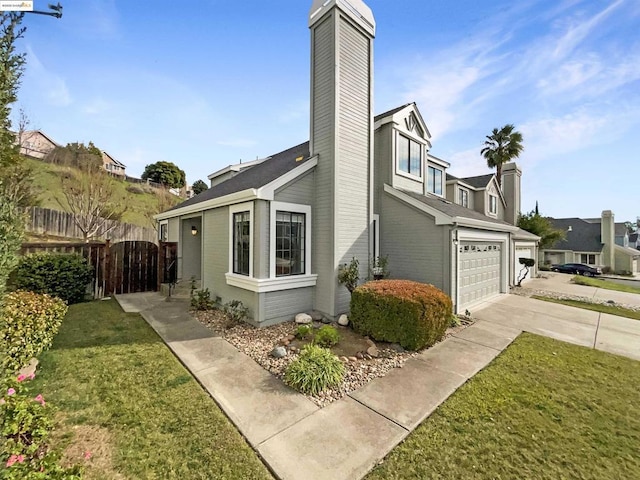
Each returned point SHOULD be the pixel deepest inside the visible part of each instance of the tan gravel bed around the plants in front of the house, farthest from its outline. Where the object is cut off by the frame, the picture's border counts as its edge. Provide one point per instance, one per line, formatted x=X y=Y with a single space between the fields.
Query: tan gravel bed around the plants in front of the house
x=258 y=343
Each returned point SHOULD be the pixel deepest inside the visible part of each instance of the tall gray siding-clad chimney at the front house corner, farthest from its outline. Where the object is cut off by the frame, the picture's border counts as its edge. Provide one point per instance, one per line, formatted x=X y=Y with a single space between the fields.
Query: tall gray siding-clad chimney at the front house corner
x=342 y=137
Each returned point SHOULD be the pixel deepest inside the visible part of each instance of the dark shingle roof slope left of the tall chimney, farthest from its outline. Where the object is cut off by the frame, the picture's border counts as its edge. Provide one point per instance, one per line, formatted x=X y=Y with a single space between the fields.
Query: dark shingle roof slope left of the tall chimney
x=254 y=177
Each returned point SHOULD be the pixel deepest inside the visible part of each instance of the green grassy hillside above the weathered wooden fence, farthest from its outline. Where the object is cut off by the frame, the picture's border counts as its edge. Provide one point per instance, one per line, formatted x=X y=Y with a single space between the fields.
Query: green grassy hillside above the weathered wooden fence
x=141 y=200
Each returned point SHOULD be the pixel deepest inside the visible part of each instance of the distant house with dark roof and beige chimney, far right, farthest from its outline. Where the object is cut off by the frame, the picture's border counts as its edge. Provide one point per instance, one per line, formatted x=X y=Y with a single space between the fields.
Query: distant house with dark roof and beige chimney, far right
x=592 y=241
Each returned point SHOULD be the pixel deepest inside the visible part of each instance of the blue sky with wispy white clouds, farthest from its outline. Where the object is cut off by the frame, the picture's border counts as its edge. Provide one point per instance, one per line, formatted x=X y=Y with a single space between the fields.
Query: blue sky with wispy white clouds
x=206 y=83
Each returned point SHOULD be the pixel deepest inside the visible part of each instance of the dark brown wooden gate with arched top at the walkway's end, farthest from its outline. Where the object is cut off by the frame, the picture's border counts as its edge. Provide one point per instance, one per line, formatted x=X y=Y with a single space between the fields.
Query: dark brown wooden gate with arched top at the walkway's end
x=133 y=267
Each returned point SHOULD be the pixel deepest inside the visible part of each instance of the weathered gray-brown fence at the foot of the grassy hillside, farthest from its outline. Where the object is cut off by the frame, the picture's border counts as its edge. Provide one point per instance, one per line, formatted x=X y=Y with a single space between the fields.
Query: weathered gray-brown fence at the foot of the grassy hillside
x=44 y=221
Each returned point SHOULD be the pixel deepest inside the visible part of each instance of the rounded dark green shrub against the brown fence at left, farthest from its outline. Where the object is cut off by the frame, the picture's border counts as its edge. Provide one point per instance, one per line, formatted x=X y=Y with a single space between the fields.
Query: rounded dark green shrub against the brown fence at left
x=61 y=275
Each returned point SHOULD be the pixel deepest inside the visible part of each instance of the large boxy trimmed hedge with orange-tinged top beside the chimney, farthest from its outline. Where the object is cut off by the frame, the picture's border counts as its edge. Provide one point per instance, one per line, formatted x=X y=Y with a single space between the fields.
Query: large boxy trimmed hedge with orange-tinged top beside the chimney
x=415 y=315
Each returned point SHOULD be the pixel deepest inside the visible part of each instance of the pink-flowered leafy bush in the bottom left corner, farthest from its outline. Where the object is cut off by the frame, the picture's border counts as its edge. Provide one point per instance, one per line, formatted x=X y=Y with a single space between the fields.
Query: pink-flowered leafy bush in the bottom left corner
x=25 y=424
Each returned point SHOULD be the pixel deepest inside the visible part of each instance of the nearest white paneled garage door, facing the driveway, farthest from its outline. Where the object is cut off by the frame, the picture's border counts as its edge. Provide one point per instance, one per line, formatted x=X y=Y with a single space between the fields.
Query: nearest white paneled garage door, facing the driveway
x=480 y=269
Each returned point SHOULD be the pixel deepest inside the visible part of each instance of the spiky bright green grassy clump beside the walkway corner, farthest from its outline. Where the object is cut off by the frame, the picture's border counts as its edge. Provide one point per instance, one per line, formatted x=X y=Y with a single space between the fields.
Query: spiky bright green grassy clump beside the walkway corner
x=314 y=370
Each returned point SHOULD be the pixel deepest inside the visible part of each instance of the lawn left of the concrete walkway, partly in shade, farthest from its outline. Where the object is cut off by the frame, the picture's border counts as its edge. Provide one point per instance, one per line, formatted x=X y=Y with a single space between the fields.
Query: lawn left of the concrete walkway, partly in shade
x=112 y=377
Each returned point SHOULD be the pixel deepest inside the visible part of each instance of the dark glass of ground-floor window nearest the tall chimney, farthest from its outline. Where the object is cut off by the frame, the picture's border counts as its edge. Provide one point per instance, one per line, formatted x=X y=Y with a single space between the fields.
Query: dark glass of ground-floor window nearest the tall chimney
x=290 y=243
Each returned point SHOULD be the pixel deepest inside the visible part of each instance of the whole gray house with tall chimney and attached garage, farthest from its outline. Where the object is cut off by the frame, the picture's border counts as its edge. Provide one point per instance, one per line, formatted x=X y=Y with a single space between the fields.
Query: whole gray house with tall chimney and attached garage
x=273 y=233
